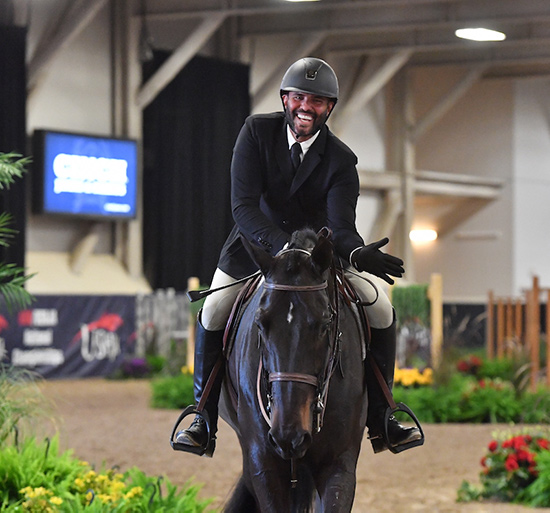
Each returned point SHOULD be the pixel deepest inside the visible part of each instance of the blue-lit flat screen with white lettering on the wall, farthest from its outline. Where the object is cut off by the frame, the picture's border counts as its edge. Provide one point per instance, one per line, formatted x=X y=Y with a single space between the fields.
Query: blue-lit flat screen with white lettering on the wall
x=82 y=175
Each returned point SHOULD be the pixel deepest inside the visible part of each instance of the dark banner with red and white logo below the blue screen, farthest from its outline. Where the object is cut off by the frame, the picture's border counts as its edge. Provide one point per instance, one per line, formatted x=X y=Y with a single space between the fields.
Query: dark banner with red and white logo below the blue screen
x=69 y=336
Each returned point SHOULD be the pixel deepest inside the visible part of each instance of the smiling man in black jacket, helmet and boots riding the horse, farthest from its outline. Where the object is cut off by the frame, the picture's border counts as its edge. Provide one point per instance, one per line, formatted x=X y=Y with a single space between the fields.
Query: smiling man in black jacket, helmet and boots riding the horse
x=288 y=172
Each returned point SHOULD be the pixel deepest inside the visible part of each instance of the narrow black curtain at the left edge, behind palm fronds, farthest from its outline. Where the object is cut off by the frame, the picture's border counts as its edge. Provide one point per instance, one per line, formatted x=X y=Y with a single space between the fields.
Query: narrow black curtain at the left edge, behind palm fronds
x=13 y=95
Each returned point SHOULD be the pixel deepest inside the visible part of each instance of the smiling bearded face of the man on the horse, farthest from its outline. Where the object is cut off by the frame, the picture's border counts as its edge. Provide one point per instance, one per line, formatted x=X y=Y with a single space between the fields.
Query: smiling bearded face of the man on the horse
x=306 y=113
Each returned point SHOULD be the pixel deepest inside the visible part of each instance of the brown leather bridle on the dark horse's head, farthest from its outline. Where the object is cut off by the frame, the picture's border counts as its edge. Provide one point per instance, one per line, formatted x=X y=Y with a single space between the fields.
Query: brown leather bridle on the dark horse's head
x=320 y=383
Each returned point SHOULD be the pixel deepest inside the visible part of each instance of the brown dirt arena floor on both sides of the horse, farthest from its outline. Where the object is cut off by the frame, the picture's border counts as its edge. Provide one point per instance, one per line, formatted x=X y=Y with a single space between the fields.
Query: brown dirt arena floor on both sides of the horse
x=110 y=422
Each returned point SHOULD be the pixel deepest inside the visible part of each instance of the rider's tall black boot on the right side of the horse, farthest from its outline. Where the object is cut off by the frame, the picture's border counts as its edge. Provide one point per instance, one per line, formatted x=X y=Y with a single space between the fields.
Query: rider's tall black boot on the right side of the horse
x=383 y=349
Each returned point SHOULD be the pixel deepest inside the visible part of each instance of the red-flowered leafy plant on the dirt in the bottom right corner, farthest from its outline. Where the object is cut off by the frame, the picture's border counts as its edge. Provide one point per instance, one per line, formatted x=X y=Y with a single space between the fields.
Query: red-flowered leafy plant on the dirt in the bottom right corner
x=513 y=470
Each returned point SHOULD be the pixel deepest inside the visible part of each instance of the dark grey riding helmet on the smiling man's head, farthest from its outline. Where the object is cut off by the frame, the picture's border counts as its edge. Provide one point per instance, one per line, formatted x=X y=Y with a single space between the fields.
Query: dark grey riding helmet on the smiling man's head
x=313 y=76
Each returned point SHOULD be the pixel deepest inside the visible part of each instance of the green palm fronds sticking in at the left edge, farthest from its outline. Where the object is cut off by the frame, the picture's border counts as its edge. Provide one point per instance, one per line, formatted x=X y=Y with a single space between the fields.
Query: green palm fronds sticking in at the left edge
x=12 y=278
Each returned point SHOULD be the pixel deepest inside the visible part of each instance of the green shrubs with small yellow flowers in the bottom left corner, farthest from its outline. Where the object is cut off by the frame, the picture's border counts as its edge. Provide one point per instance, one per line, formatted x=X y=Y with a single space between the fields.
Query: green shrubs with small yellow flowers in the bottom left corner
x=37 y=478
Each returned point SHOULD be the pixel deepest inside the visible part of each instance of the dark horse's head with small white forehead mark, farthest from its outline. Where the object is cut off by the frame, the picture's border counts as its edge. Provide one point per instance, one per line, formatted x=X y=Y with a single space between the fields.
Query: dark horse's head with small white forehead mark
x=295 y=322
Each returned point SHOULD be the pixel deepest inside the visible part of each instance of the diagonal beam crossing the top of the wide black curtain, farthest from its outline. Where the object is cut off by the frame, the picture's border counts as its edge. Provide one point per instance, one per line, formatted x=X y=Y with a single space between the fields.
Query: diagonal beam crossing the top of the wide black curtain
x=177 y=61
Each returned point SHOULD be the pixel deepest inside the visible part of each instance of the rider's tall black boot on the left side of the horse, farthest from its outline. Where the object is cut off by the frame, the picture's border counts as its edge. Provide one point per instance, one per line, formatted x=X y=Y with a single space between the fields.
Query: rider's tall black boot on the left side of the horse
x=208 y=349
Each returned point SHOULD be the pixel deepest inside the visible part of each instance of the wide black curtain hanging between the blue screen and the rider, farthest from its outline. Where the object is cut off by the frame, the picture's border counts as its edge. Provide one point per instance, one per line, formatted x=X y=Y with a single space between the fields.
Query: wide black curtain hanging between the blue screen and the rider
x=188 y=135
